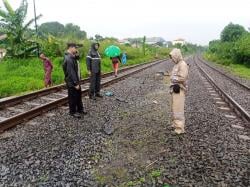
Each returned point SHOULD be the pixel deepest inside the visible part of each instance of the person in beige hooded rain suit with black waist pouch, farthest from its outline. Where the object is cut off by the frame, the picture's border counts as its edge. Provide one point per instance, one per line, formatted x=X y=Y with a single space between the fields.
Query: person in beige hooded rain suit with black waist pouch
x=177 y=89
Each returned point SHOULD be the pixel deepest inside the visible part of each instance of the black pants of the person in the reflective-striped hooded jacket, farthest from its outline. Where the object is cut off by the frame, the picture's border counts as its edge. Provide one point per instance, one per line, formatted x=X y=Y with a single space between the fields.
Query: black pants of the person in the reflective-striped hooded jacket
x=95 y=83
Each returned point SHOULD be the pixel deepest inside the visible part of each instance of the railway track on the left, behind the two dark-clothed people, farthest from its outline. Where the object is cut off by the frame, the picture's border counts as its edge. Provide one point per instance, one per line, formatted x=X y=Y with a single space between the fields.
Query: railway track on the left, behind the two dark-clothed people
x=19 y=109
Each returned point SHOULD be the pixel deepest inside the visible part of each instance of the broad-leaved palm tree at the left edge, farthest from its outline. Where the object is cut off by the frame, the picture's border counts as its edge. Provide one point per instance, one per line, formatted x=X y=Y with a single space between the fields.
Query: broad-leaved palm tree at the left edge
x=19 y=41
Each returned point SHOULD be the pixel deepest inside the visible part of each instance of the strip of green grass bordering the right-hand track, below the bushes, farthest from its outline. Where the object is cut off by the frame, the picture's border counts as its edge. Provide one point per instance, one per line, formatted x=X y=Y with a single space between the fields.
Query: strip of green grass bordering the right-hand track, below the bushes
x=236 y=69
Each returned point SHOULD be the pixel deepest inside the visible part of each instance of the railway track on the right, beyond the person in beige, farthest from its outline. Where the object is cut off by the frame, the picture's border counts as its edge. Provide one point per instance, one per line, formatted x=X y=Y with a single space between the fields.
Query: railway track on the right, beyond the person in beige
x=225 y=94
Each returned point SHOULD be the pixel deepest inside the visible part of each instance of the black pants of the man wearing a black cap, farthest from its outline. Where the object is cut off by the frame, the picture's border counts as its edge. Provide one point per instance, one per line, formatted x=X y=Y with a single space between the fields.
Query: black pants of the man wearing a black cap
x=75 y=100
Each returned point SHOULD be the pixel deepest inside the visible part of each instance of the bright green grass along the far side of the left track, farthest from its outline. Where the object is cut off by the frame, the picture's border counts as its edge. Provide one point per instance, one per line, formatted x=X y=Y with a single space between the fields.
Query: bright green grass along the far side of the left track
x=20 y=76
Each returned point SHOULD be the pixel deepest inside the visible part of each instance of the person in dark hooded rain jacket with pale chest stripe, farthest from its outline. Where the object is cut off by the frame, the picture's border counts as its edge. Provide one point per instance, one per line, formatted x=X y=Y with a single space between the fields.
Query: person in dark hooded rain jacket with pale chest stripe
x=93 y=61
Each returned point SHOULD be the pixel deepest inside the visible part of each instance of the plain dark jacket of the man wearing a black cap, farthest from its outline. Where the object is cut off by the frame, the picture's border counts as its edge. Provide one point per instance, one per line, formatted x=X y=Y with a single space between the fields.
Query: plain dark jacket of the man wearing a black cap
x=70 y=68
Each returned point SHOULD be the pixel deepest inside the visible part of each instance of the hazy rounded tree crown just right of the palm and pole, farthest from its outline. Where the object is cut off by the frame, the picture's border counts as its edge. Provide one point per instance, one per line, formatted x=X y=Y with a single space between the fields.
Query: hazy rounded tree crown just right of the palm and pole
x=53 y=28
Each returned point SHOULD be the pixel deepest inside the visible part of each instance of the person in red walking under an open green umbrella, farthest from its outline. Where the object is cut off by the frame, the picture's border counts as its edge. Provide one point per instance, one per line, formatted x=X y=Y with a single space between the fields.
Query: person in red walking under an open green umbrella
x=114 y=53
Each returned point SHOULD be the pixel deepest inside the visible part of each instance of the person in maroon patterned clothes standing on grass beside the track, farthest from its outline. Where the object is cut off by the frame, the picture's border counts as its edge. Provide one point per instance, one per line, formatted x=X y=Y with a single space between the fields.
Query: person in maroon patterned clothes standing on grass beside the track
x=48 y=67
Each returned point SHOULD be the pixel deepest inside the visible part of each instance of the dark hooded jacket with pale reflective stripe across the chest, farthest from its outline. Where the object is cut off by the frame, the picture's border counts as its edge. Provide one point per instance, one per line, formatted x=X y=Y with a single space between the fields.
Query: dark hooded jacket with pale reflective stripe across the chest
x=93 y=60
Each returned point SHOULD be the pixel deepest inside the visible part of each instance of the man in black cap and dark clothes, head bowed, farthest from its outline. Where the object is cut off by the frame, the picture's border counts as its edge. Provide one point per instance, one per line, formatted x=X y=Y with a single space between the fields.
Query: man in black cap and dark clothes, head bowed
x=72 y=79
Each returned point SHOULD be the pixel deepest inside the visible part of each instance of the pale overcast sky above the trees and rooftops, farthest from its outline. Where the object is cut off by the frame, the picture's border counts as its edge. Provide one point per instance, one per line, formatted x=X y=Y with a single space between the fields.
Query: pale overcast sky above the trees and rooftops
x=197 y=21
